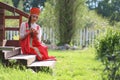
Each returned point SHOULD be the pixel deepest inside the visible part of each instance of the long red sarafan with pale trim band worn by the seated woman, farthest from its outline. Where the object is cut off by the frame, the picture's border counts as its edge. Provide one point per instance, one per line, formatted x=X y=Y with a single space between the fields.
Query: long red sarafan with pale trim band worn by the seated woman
x=31 y=45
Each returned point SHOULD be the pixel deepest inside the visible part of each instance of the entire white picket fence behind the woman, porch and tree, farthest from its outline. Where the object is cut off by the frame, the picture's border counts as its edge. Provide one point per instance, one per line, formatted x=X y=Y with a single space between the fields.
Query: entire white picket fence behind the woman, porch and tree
x=84 y=37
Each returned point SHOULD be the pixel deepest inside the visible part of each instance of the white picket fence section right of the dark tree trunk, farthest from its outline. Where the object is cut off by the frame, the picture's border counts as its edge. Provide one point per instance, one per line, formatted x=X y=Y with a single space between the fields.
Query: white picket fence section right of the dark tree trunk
x=85 y=37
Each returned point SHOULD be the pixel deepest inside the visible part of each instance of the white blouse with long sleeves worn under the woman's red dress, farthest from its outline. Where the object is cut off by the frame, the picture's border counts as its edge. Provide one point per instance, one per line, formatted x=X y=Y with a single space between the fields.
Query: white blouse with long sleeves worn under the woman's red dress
x=34 y=26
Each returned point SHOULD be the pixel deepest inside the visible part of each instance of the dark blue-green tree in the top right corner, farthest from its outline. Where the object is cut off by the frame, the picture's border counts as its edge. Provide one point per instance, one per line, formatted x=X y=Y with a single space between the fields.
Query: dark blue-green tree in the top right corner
x=110 y=9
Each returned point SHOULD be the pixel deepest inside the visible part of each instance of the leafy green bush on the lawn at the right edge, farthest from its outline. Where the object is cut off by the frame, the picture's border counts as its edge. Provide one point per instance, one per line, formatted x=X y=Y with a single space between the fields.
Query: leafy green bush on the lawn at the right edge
x=108 y=51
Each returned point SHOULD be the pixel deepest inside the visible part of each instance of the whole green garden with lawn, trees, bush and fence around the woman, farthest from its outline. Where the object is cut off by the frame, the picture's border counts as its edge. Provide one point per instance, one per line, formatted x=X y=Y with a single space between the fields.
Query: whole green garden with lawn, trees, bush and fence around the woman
x=83 y=35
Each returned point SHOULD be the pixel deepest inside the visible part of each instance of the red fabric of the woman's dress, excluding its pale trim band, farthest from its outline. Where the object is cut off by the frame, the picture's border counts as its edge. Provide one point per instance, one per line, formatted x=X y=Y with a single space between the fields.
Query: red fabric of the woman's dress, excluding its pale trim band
x=27 y=49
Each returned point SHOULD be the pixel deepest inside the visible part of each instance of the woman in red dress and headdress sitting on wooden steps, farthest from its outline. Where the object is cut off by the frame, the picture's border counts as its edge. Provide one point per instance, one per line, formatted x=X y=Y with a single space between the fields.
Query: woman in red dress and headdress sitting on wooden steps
x=30 y=37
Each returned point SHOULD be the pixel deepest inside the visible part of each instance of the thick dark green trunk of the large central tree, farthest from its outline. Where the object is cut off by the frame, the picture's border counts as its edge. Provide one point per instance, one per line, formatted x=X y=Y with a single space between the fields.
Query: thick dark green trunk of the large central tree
x=67 y=18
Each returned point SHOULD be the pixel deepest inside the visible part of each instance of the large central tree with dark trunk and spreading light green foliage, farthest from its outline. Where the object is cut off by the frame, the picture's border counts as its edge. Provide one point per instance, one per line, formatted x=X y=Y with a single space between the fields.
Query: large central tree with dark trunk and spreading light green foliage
x=67 y=17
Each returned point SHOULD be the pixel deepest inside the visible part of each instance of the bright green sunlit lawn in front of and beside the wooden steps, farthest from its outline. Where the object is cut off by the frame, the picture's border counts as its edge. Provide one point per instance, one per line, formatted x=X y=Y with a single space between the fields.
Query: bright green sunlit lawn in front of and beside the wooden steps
x=71 y=65
